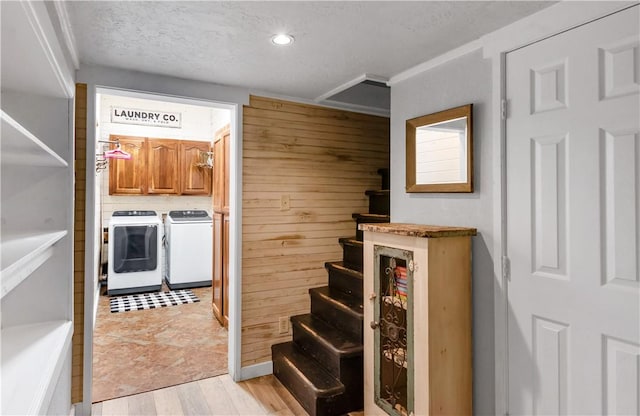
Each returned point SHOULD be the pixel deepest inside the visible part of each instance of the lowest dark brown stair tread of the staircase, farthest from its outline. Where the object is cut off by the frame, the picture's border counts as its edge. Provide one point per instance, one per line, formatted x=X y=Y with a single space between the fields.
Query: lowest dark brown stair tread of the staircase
x=306 y=368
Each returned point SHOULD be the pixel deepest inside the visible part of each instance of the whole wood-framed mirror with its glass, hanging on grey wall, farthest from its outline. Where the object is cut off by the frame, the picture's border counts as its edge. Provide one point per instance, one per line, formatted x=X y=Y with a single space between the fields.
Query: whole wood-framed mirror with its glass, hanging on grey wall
x=440 y=151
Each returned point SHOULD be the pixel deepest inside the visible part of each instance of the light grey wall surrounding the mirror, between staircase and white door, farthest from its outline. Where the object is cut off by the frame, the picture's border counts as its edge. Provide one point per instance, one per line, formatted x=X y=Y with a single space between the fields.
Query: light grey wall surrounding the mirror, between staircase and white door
x=461 y=81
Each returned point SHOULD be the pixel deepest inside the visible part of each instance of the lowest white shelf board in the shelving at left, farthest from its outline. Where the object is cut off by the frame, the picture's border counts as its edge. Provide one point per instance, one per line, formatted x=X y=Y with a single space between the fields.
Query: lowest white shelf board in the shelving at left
x=32 y=359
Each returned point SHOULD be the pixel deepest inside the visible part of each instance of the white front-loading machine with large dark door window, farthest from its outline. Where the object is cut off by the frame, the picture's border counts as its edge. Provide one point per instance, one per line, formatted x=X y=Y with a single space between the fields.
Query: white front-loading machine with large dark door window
x=135 y=241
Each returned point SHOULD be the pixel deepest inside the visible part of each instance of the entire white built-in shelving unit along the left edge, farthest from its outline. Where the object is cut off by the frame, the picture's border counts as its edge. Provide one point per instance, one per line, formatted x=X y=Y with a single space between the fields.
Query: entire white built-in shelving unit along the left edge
x=36 y=224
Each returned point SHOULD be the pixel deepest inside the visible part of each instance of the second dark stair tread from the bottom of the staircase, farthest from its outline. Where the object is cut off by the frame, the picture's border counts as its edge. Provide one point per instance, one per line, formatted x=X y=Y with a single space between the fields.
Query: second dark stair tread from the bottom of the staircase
x=339 y=341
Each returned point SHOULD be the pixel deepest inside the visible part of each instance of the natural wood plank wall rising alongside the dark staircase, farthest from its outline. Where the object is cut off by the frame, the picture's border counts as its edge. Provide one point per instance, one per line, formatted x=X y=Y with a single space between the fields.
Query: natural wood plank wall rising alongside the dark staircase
x=322 y=160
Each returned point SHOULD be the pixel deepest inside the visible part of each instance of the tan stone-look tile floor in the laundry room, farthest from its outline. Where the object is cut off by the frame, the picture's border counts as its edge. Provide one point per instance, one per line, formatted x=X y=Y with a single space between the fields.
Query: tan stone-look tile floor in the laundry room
x=139 y=351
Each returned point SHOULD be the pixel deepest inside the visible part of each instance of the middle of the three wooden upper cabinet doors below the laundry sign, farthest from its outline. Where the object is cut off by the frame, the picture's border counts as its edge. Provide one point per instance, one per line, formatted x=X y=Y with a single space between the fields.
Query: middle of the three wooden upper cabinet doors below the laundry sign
x=163 y=168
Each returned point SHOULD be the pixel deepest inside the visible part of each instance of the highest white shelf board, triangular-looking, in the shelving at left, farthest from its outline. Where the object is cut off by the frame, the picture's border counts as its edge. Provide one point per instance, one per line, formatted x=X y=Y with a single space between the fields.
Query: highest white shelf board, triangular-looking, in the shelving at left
x=20 y=146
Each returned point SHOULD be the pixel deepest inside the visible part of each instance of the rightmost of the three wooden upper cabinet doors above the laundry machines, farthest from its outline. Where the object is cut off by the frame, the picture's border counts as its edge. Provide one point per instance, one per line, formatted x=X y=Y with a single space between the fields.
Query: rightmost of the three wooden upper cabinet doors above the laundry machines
x=194 y=179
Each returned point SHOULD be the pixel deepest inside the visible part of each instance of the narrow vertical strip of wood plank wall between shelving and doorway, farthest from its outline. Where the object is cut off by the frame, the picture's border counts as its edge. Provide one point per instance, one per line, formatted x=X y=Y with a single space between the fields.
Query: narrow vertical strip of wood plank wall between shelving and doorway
x=80 y=134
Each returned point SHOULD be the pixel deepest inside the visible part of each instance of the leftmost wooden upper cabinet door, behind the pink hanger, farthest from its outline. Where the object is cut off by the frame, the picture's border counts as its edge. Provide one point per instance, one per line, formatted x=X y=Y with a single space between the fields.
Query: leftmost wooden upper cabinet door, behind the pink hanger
x=129 y=177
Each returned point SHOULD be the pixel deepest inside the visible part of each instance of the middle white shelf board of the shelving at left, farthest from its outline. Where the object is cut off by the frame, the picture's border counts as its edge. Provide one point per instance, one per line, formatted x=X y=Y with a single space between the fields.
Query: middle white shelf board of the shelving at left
x=21 y=255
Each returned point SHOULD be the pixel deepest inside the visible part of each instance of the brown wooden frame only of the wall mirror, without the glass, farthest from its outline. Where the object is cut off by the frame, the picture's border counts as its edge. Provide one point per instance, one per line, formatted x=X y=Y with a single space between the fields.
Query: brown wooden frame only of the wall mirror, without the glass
x=410 y=162
